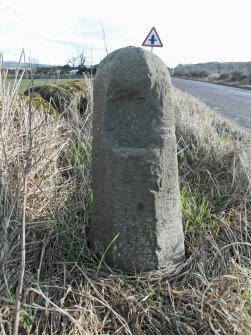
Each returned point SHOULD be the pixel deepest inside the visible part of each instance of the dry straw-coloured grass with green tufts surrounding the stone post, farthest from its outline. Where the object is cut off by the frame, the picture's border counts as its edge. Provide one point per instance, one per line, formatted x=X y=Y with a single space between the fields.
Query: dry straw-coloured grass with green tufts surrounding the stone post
x=45 y=174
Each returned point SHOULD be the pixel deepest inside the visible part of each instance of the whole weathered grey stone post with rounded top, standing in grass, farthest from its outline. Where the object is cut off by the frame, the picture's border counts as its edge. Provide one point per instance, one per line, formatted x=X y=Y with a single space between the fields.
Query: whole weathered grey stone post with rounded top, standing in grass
x=135 y=175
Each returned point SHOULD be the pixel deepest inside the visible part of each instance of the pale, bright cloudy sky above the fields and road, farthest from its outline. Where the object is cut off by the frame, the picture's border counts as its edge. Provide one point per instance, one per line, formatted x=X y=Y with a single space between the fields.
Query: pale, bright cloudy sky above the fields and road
x=192 y=31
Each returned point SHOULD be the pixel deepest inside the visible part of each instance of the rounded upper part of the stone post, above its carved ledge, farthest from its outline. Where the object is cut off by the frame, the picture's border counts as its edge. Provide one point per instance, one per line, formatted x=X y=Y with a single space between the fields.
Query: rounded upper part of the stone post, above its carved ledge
x=132 y=91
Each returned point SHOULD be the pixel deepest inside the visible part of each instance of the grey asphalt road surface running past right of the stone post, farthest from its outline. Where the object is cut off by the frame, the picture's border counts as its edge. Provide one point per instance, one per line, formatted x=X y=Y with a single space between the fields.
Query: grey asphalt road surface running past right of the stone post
x=234 y=103
